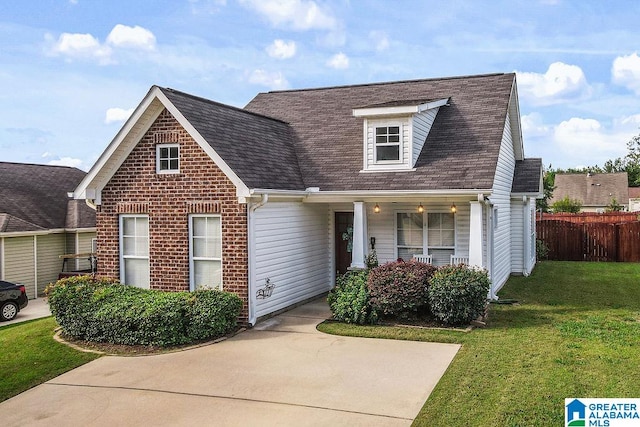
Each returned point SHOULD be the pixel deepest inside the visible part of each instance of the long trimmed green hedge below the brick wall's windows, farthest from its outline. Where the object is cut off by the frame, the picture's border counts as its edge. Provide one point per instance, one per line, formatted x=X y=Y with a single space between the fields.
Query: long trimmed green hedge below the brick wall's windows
x=103 y=310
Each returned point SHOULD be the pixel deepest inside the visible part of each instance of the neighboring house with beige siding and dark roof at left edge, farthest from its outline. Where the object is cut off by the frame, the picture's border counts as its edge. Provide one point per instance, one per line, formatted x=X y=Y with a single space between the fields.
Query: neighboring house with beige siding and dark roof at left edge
x=39 y=222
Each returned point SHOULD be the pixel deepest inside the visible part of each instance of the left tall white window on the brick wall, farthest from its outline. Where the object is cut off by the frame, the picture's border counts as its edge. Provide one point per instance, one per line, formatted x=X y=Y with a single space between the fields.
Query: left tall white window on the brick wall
x=134 y=250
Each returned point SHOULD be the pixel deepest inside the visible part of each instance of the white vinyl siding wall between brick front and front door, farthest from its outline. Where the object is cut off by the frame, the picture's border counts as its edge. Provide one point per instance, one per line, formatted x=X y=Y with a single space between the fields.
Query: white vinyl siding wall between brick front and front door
x=292 y=251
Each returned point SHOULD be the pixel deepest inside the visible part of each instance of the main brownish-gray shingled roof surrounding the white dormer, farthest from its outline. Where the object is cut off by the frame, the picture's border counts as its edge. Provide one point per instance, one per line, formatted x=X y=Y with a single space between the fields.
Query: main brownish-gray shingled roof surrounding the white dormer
x=461 y=151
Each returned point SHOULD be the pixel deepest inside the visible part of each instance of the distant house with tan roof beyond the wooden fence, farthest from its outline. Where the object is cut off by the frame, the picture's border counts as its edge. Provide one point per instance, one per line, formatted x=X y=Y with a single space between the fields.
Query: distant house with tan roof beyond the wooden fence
x=595 y=191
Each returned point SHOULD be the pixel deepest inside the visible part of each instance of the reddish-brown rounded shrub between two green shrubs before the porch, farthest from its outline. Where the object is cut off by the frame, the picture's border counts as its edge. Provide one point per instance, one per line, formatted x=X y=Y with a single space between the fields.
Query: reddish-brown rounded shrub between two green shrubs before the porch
x=400 y=288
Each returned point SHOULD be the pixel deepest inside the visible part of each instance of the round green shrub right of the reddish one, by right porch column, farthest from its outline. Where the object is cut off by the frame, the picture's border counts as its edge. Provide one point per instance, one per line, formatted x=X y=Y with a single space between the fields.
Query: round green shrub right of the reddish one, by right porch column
x=458 y=294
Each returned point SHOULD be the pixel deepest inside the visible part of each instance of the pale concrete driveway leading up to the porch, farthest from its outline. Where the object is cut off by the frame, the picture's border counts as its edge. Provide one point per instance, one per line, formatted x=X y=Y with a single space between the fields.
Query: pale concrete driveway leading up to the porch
x=282 y=372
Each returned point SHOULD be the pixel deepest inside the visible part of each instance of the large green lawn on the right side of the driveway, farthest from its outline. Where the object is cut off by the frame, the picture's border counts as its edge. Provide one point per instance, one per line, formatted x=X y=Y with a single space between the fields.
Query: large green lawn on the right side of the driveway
x=575 y=332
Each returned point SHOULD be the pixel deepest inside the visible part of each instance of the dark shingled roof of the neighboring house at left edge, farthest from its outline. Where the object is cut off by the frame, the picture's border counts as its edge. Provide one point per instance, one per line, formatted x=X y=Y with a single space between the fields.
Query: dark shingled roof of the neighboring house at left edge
x=34 y=197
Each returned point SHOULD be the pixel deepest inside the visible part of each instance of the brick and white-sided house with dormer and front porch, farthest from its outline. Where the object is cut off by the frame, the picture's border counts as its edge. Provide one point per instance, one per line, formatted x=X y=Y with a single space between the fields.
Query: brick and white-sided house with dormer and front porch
x=258 y=200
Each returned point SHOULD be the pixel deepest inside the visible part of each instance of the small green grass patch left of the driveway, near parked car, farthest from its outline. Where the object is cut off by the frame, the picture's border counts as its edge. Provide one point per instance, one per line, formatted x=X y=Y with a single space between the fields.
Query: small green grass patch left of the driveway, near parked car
x=30 y=356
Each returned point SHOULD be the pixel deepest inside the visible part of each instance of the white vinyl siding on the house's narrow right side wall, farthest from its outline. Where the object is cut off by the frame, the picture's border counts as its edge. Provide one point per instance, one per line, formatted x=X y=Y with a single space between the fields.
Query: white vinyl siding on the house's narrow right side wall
x=501 y=197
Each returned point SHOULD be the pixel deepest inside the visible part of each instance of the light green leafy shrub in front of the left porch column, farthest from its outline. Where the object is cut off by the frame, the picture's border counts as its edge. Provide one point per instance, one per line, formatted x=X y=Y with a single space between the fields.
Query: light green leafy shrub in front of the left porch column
x=349 y=300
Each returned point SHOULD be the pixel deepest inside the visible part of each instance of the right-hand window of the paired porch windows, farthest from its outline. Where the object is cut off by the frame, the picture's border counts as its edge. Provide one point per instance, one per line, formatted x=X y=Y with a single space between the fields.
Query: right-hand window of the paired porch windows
x=441 y=236
